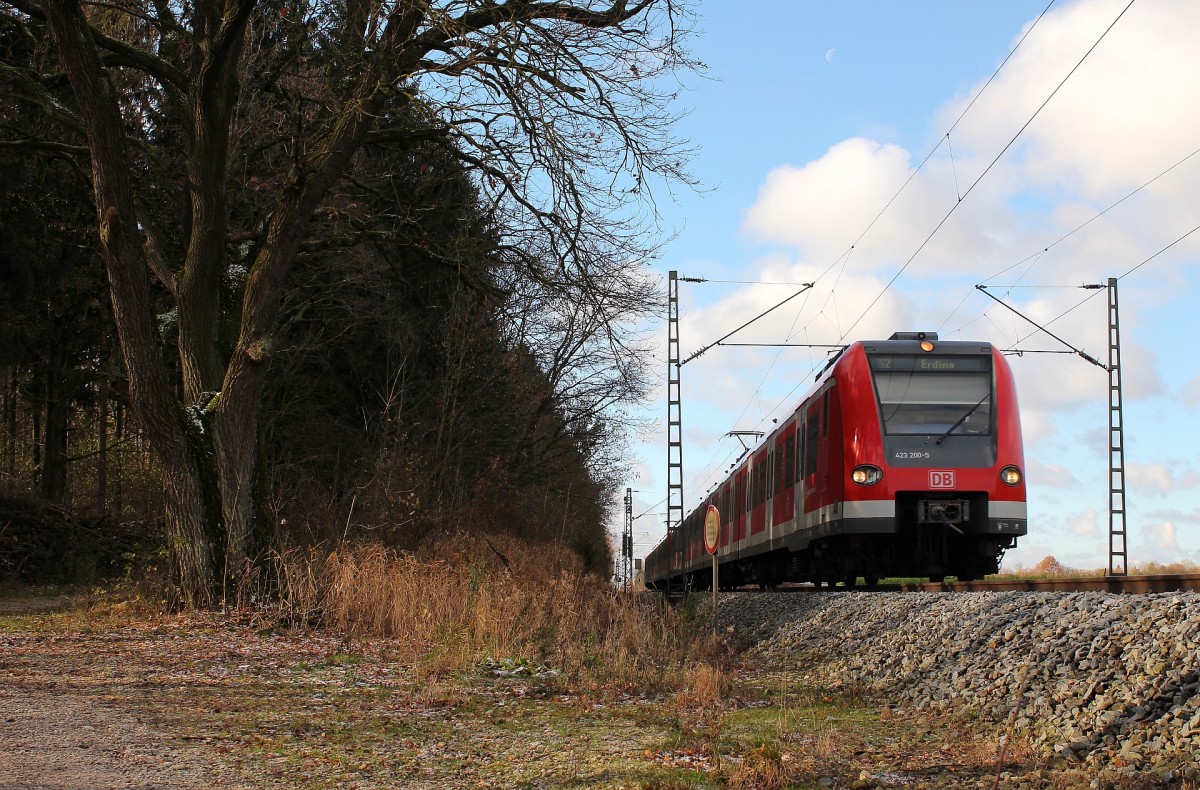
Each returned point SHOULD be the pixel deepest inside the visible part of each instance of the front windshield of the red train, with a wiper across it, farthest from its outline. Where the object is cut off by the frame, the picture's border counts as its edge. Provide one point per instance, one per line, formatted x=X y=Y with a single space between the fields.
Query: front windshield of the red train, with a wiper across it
x=934 y=394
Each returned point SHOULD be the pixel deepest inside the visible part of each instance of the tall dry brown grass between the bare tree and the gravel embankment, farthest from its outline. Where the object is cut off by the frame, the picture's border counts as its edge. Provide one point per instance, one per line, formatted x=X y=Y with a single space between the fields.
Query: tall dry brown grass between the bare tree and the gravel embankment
x=469 y=599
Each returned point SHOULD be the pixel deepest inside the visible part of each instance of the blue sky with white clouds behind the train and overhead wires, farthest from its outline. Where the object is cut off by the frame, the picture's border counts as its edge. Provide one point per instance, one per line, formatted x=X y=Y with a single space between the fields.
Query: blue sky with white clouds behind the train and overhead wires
x=811 y=118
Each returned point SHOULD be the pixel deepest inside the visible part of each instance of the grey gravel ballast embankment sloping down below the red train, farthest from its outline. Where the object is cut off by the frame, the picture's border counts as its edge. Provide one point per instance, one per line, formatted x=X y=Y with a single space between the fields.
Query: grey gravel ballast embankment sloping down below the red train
x=1093 y=678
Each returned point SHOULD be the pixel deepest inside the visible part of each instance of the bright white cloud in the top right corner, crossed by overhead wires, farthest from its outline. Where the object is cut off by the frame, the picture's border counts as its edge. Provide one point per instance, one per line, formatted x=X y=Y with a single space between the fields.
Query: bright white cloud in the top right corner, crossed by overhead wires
x=1136 y=87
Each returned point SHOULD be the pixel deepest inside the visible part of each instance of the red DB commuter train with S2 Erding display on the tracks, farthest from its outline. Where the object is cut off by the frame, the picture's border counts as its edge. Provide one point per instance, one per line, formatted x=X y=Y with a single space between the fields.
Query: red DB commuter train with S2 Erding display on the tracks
x=905 y=460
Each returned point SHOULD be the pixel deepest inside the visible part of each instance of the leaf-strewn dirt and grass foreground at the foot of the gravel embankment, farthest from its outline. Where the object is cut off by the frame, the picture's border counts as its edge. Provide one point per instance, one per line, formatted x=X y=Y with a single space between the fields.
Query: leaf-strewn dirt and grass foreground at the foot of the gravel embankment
x=113 y=701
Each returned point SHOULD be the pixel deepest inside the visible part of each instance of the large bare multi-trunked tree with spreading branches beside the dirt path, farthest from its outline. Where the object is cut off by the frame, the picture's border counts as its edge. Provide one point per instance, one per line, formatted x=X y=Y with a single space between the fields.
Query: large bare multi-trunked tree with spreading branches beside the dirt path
x=560 y=109
